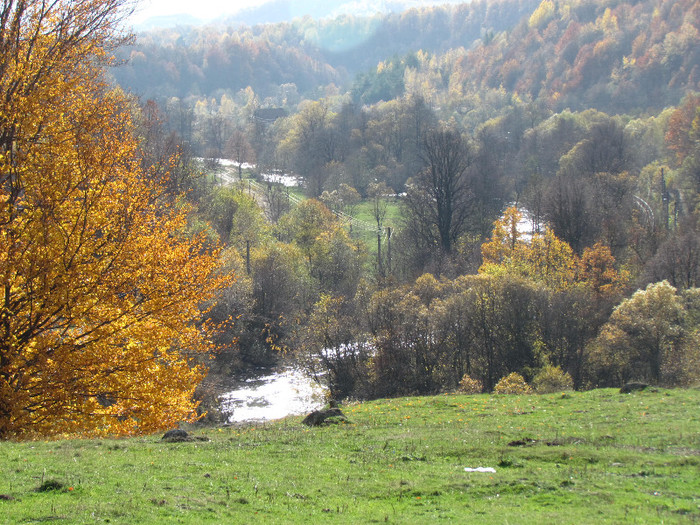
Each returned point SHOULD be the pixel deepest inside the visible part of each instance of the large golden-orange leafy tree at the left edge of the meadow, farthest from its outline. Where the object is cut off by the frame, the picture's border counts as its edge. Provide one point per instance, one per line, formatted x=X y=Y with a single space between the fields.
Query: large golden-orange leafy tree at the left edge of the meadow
x=99 y=287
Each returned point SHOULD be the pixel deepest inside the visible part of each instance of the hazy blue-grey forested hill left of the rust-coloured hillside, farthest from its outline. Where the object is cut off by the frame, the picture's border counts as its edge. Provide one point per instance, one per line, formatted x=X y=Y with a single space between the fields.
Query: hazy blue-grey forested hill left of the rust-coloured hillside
x=309 y=53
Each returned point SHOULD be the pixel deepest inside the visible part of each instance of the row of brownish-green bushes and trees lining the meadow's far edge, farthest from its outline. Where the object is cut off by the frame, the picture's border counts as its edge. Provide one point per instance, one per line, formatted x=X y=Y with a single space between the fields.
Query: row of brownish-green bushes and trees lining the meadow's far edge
x=433 y=335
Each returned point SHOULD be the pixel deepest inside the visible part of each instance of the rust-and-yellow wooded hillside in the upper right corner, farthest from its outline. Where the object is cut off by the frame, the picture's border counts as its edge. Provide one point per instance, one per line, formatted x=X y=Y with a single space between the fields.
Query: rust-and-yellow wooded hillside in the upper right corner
x=620 y=57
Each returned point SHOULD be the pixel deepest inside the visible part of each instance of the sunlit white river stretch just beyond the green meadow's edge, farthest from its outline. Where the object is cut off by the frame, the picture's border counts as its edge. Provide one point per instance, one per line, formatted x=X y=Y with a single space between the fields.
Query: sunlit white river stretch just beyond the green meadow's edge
x=272 y=394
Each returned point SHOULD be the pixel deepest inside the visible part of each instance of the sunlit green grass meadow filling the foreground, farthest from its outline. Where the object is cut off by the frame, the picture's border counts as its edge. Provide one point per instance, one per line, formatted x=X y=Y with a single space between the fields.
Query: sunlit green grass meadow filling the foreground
x=591 y=457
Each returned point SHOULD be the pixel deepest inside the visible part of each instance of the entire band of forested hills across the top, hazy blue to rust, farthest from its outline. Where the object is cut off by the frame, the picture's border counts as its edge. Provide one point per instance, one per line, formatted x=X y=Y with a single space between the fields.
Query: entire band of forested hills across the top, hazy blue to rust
x=617 y=57
